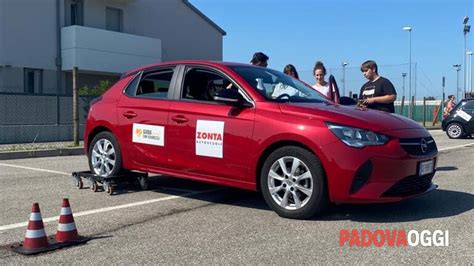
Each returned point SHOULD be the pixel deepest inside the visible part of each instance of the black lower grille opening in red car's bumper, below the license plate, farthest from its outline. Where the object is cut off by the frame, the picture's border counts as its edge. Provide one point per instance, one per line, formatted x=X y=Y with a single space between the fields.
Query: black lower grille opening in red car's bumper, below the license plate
x=409 y=186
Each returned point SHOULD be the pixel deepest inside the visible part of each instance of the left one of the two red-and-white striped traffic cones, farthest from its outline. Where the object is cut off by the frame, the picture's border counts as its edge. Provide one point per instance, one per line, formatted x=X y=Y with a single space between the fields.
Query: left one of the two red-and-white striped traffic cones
x=35 y=237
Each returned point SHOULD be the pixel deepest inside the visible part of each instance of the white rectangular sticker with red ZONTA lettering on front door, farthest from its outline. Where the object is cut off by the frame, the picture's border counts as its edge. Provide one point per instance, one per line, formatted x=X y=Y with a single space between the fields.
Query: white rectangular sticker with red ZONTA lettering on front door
x=210 y=138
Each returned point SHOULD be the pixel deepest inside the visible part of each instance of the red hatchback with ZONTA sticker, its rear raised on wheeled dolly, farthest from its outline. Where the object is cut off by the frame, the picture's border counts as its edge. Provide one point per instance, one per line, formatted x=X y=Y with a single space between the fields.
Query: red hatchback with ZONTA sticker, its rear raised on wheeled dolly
x=256 y=128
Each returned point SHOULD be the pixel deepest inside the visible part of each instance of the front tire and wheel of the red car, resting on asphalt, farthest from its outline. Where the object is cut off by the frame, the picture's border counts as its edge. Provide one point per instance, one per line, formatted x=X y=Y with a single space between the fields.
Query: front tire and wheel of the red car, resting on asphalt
x=300 y=191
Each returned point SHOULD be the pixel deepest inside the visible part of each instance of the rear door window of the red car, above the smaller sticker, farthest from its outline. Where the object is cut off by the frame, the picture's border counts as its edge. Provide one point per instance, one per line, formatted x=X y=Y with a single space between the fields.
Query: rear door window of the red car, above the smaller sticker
x=155 y=84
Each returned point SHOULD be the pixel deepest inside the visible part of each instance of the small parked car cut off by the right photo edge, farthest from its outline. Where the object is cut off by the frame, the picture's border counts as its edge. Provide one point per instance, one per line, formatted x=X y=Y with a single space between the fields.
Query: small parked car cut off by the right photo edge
x=459 y=123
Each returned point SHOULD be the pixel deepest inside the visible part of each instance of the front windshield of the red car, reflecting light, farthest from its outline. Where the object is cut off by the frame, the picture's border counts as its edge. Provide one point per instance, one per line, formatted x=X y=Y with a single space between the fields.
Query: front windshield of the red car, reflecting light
x=277 y=86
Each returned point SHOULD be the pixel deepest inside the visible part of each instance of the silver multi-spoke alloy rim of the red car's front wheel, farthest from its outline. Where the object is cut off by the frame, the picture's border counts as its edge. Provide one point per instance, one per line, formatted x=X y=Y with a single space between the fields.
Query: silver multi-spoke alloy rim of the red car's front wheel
x=290 y=183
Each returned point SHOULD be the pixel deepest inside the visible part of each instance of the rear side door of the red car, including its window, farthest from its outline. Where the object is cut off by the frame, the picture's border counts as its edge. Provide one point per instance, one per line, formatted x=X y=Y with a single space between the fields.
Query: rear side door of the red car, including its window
x=143 y=114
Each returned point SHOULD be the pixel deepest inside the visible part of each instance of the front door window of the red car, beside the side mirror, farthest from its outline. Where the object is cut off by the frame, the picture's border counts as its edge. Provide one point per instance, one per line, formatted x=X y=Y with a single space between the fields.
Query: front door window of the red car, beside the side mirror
x=202 y=84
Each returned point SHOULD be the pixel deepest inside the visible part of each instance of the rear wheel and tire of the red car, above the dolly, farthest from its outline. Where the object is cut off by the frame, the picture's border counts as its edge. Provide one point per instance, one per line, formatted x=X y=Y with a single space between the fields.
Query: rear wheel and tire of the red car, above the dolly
x=104 y=156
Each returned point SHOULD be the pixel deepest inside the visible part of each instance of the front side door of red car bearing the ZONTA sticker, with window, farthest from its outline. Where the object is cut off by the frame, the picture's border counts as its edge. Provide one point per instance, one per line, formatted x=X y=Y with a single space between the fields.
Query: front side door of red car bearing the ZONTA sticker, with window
x=205 y=136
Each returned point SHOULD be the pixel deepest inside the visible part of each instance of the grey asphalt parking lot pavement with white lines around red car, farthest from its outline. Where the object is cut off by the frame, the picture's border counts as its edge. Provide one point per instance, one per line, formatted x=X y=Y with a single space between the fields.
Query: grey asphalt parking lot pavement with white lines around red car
x=182 y=222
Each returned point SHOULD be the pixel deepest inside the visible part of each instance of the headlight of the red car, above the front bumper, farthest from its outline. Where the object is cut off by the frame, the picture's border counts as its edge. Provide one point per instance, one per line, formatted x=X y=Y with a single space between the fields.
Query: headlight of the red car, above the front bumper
x=356 y=137
